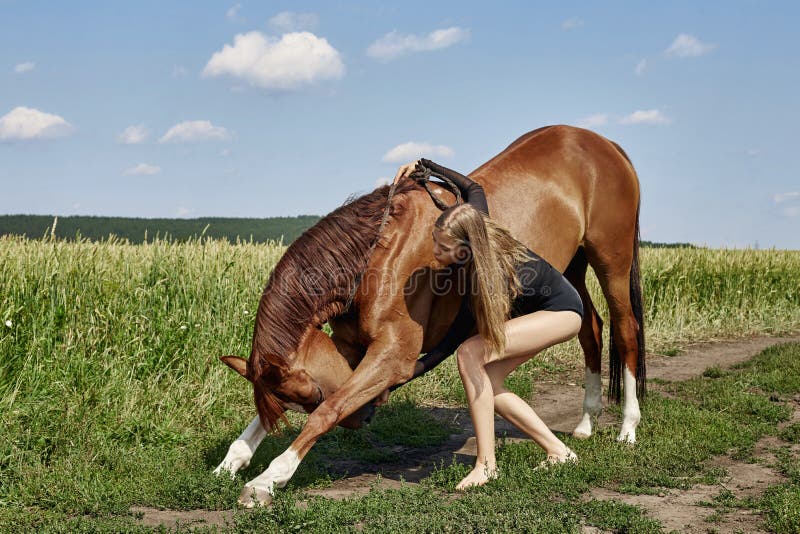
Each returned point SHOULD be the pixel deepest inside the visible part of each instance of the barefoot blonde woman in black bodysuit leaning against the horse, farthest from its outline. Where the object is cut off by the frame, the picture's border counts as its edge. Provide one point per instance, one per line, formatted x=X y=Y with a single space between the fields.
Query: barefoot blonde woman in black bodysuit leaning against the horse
x=521 y=305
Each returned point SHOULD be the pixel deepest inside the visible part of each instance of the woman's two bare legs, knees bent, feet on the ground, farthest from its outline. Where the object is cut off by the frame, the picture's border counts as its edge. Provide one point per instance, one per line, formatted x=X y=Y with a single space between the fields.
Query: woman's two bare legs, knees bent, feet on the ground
x=483 y=377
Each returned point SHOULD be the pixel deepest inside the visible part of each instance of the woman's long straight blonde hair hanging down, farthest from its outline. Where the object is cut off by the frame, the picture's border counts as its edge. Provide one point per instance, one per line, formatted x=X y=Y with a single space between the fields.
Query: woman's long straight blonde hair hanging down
x=494 y=253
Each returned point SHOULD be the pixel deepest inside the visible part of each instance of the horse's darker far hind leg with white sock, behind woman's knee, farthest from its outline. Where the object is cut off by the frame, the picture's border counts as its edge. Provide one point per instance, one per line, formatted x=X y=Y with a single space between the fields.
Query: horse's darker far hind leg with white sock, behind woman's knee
x=591 y=339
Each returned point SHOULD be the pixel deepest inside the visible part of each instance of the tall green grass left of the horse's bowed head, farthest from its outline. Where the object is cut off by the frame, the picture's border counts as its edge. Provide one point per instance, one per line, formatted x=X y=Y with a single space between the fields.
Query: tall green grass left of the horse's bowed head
x=111 y=347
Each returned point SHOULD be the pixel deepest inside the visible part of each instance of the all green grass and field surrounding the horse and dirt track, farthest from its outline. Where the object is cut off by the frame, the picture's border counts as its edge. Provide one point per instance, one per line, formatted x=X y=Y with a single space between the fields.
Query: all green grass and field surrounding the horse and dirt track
x=112 y=396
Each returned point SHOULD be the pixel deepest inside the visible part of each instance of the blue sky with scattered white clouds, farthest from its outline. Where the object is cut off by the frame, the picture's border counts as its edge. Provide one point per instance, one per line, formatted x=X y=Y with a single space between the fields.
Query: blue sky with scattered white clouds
x=263 y=109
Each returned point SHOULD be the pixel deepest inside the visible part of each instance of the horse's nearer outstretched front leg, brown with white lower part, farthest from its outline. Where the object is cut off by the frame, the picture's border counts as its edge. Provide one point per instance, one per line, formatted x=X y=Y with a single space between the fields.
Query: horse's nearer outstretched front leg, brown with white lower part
x=385 y=364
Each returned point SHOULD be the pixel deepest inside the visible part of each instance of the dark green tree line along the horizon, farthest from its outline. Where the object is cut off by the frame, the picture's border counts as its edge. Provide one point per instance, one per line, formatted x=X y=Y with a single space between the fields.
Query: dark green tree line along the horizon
x=139 y=230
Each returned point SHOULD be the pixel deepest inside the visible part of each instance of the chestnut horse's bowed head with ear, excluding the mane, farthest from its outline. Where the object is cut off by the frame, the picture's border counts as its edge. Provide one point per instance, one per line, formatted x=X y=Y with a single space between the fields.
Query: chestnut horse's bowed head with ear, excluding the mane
x=299 y=383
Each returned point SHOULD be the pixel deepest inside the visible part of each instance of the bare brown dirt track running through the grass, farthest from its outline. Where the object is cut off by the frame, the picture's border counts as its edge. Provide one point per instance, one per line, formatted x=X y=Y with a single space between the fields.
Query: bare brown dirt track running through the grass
x=560 y=406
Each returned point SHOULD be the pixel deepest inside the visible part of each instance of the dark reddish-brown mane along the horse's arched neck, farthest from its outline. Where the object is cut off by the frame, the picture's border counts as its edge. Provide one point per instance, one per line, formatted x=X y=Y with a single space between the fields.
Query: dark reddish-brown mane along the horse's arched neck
x=313 y=279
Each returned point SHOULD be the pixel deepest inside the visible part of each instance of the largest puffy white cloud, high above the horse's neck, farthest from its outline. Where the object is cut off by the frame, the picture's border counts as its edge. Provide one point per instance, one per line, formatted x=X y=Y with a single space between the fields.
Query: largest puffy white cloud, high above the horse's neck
x=294 y=60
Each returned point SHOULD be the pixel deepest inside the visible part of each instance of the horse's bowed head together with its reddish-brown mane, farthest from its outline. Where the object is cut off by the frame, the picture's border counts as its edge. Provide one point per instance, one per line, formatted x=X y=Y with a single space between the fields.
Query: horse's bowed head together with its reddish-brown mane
x=293 y=364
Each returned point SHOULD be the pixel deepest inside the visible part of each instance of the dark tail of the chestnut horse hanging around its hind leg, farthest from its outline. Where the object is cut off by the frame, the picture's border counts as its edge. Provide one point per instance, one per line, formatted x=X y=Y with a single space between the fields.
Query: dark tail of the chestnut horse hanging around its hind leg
x=615 y=379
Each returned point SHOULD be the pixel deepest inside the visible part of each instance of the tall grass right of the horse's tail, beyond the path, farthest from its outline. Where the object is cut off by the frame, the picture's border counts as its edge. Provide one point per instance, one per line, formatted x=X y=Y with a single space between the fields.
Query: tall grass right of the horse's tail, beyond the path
x=697 y=294
